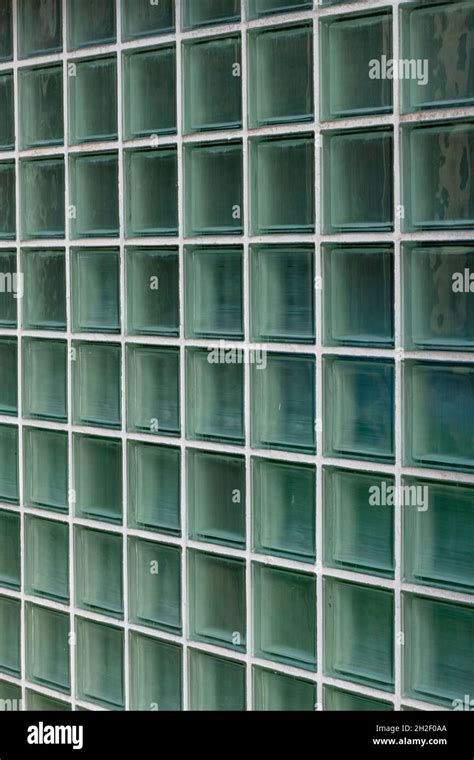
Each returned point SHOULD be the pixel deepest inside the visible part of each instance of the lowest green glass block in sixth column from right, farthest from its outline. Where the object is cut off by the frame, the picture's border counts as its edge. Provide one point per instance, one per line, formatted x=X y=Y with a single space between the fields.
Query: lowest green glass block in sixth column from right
x=99 y=662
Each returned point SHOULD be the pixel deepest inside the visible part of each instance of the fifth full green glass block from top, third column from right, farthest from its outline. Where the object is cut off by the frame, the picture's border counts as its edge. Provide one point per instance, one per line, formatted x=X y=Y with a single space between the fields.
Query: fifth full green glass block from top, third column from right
x=284 y=509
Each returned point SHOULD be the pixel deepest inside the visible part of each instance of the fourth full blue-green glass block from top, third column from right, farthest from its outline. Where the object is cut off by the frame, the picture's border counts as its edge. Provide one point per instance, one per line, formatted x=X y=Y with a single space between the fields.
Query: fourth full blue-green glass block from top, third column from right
x=283 y=403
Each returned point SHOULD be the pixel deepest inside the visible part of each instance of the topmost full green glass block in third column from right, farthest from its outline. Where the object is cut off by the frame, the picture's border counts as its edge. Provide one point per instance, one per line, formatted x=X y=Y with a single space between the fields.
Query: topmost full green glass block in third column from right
x=279 y=57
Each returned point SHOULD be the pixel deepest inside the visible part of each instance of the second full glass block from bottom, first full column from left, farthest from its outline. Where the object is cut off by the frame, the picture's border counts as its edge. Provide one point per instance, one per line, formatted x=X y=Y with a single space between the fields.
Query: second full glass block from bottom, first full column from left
x=47 y=558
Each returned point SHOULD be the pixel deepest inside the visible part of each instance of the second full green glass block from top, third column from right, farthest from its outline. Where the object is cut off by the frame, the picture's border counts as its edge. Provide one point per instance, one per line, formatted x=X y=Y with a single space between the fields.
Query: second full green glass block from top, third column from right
x=282 y=196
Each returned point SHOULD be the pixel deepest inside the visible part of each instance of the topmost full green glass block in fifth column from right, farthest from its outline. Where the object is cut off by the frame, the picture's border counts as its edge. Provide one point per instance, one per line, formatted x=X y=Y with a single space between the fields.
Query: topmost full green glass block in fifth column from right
x=146 y=72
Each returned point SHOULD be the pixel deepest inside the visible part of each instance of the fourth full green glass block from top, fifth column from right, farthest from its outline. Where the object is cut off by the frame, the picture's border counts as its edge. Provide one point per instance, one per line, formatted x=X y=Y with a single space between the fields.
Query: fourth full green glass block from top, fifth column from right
x=153 y=395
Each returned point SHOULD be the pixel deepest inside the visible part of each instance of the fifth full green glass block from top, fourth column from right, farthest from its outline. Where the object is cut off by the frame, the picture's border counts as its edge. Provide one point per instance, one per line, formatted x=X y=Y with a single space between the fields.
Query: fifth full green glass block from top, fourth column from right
x=216 y=498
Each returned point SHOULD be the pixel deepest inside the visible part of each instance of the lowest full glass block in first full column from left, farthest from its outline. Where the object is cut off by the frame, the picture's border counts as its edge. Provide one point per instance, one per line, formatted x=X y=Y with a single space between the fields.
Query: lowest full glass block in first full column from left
x=47 y=647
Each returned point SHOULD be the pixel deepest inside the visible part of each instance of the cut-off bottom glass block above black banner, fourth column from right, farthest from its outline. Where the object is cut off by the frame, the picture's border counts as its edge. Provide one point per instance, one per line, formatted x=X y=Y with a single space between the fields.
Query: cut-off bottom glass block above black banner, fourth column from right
x=215 y=683
